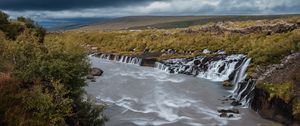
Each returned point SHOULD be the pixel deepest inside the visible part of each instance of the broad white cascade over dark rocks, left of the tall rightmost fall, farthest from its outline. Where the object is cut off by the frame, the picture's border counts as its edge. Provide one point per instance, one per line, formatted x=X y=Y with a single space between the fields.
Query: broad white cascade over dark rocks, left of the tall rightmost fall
x=212 y=68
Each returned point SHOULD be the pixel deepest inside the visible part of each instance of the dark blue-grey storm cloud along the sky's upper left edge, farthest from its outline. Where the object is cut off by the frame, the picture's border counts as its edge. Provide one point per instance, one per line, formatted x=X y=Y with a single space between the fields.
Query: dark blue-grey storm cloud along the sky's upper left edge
x=56 y=5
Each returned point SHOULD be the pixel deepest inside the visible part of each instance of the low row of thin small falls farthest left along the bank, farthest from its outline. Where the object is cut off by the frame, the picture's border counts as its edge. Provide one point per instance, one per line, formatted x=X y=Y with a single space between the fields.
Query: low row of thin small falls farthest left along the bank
x=122 y=59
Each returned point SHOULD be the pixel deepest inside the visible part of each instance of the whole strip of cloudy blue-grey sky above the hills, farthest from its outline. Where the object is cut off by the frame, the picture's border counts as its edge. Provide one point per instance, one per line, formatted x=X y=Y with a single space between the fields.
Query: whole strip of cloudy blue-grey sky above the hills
x=43 y=10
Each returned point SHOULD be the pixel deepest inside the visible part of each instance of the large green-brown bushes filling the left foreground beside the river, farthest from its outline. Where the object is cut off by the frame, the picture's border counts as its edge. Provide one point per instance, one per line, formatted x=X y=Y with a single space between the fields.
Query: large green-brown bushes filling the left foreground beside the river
x=41 y=83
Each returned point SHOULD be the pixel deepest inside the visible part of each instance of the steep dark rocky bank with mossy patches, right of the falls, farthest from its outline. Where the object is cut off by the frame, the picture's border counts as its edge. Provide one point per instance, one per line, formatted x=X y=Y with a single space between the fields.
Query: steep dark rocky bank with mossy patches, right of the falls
x=273 y=100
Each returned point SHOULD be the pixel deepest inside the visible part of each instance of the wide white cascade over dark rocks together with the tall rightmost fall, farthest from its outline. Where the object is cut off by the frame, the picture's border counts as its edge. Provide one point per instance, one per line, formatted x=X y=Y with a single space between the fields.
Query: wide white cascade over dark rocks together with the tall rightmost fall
x=218 y=71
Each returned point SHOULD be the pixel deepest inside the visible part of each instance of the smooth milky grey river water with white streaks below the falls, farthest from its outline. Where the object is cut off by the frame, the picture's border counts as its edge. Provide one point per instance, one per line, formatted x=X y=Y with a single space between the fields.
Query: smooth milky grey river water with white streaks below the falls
x=146 y=96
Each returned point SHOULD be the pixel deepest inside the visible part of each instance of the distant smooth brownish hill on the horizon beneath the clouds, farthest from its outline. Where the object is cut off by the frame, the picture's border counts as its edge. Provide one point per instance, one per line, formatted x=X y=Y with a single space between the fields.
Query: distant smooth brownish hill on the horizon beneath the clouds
x=164 y=22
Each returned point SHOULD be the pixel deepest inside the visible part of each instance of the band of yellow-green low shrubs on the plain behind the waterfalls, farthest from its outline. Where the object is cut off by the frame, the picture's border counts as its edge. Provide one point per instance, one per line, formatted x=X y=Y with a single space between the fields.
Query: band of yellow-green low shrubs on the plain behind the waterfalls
x=263 y=48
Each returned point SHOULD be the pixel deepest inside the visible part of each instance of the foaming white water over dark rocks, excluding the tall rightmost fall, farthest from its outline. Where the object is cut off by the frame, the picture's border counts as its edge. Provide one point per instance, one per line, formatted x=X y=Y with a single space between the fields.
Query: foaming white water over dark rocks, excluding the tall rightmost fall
x=213 y=73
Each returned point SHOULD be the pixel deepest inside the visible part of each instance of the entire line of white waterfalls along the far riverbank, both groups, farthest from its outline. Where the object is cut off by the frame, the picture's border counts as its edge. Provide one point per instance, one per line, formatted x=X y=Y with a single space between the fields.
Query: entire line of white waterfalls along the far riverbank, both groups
x=219 y=68
